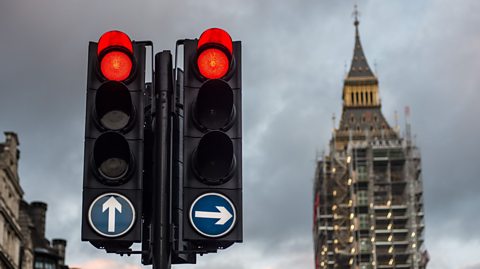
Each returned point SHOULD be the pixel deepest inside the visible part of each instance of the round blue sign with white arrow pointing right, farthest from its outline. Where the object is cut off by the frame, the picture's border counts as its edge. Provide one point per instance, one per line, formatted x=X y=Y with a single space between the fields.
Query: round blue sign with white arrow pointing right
x=212 y=215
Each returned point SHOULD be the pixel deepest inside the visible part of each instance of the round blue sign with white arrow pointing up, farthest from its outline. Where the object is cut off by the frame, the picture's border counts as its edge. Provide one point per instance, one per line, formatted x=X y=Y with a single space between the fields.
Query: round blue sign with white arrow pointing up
x=111 y=215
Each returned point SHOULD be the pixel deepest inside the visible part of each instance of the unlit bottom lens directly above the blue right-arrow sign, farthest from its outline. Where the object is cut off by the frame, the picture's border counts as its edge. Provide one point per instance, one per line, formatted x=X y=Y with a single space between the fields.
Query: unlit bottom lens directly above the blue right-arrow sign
x=214 y=159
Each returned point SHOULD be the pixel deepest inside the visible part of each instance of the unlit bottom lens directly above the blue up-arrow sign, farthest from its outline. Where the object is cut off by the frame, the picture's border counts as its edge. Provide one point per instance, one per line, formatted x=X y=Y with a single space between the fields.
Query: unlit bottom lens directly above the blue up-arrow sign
x=112 y=157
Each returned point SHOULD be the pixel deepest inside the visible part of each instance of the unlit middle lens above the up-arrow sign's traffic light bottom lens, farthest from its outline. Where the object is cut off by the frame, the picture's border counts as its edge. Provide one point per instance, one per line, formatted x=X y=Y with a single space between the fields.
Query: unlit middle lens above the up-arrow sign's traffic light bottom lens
x=113 y=105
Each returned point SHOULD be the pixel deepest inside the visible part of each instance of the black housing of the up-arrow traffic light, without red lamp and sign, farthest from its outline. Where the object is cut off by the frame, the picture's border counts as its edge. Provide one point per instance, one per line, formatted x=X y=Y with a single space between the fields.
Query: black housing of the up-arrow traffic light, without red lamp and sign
x=114 y=134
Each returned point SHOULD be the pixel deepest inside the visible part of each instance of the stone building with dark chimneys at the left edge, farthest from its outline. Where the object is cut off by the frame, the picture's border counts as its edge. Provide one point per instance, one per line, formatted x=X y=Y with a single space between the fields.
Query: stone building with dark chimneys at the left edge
x=22 y=225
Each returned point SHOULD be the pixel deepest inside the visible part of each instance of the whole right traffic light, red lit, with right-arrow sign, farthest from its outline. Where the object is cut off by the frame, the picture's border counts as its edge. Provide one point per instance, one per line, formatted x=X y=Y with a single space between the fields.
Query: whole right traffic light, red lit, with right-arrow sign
x=211 y=193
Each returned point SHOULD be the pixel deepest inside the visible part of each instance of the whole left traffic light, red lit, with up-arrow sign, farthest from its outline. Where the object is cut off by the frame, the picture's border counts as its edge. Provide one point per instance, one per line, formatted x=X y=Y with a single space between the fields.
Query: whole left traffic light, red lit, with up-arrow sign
x=114 y=137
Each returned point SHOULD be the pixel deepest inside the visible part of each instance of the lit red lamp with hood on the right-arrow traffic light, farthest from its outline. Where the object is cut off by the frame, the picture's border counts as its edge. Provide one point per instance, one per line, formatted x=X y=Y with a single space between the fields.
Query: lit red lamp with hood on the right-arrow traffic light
x=215 y=53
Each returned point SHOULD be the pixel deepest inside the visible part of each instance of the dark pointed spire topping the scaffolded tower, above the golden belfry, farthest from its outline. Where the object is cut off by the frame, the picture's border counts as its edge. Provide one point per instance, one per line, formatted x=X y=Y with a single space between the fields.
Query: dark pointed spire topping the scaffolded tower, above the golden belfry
x=359 y=66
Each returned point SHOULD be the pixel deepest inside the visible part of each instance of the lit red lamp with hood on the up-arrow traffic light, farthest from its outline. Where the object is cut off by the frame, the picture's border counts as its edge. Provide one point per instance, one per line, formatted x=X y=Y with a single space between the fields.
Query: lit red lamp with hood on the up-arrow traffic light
x=115 y=52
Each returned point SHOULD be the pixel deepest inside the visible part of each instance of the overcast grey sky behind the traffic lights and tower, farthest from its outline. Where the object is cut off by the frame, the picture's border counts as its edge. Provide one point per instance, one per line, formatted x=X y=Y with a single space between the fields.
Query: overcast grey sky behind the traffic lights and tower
x=295 y=54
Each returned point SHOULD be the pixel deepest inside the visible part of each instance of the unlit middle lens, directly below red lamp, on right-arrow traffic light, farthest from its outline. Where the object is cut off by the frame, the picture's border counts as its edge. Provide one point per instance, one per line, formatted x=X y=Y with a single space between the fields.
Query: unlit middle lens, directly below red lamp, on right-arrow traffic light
x=214 y=105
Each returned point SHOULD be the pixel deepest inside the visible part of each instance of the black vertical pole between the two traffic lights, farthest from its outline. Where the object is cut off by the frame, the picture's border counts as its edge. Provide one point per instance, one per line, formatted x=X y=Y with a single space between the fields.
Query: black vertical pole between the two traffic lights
x=163 y=91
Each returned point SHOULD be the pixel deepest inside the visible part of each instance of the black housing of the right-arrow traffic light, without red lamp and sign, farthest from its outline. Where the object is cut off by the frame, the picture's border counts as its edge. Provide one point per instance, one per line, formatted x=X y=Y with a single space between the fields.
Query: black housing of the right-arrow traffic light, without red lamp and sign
x=212 y=142
